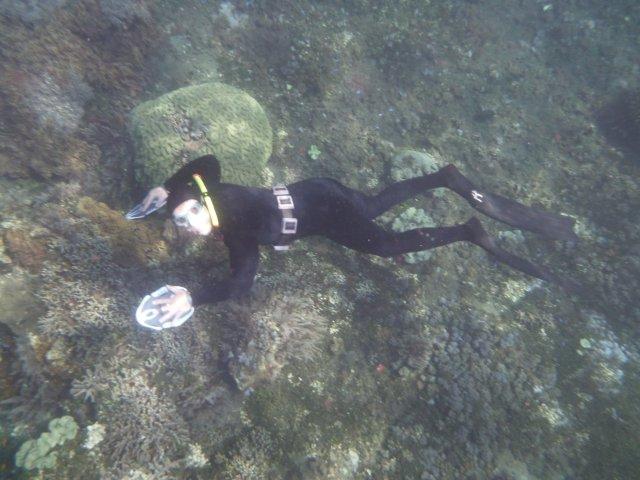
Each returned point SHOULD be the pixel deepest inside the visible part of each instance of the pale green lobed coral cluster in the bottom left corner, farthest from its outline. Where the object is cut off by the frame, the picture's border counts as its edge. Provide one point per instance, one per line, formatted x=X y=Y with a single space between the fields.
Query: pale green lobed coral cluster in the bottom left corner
x=40 y=454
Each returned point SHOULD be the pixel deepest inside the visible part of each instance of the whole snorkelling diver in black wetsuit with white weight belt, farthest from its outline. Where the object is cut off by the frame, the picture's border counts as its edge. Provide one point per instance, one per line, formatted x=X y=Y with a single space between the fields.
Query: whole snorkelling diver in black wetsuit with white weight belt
x=249 y=217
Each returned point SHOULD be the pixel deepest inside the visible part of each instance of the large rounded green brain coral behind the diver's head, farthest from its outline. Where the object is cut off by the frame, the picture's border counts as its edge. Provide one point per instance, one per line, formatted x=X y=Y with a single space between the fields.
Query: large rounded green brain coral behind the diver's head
x=193 y=121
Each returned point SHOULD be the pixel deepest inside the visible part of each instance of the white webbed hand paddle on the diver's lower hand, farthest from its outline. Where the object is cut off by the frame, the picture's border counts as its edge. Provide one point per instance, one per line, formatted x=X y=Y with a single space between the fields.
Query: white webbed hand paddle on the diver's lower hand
x=159 y=311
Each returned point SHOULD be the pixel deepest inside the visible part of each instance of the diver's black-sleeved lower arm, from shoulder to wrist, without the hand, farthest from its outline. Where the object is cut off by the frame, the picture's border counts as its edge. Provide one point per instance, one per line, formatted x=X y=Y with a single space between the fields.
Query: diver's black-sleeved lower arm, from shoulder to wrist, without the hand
x=244 y=257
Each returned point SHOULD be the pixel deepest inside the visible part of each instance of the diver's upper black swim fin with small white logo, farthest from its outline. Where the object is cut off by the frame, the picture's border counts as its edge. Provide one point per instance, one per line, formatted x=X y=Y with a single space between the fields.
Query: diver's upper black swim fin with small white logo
x=554 y=226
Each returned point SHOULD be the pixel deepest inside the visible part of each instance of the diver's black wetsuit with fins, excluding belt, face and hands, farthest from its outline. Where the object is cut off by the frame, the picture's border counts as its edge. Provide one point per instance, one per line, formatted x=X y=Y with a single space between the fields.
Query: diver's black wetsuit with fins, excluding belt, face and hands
x=250 y=217
